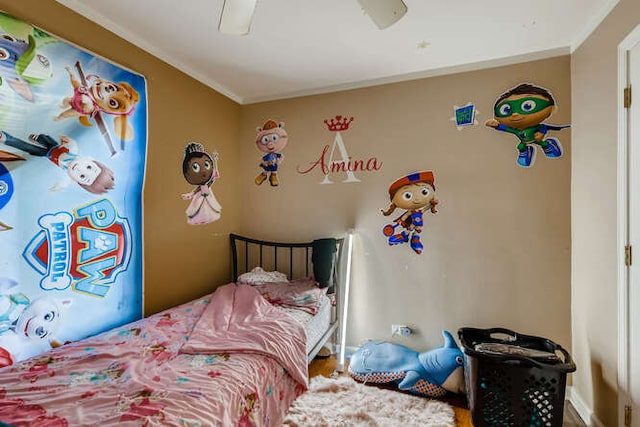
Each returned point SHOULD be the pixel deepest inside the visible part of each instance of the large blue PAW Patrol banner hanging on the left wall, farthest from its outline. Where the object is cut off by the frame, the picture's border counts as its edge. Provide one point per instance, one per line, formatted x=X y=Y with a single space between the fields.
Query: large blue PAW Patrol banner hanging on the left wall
x=70 y=192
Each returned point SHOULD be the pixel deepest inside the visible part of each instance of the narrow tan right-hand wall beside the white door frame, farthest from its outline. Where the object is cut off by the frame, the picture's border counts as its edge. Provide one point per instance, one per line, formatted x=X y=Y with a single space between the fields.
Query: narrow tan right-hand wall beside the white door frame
x=594 y=214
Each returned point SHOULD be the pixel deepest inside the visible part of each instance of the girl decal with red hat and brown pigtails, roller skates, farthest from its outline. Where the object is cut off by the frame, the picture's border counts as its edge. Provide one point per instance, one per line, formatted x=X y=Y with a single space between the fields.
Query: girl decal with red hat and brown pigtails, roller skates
x=416 y=194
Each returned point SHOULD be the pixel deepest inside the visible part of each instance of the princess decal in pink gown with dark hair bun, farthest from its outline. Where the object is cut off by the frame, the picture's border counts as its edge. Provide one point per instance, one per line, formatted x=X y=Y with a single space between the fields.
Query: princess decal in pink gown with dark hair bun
x=200 y=169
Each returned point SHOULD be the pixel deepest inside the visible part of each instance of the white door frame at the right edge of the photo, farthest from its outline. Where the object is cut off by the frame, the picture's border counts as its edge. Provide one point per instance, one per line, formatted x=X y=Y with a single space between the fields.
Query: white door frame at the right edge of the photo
x=623 y=238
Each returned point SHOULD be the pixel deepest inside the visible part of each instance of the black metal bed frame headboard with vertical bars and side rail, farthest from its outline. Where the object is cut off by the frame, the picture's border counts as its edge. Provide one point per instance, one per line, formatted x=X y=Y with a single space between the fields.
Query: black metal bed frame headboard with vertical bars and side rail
x=294 y=260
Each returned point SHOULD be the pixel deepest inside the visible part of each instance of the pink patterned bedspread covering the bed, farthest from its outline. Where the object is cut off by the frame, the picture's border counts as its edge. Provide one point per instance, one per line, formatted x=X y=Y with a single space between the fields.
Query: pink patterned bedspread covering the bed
x=198 y=364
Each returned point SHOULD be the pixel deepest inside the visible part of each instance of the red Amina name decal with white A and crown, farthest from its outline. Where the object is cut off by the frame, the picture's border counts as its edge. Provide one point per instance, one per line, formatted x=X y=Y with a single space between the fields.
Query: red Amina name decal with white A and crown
x=328 y=164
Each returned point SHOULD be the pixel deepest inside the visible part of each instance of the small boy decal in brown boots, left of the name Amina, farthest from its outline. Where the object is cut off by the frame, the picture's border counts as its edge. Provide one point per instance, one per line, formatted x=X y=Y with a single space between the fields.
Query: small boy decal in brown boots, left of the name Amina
x=271 y=138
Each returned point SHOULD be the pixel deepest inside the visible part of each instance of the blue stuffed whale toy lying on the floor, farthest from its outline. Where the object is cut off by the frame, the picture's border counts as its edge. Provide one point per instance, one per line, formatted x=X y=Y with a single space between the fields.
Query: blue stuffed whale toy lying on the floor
x=432 y=373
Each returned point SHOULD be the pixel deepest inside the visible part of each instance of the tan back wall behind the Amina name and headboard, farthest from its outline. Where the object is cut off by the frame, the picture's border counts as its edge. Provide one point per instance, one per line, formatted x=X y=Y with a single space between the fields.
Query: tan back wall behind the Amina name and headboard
x=497 y=252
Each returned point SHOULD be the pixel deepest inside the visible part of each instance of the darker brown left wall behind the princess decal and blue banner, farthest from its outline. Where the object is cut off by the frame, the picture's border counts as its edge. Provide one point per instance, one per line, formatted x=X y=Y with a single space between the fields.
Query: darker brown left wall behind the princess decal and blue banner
x=181 y=261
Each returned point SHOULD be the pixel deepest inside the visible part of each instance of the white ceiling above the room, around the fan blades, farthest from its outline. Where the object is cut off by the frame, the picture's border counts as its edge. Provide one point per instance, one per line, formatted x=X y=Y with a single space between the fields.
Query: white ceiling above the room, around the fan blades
x=303 y=47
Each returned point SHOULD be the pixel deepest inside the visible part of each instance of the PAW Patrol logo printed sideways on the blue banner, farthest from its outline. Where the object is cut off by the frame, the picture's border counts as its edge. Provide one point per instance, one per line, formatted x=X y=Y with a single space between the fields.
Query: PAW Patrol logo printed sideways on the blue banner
x=86 y=250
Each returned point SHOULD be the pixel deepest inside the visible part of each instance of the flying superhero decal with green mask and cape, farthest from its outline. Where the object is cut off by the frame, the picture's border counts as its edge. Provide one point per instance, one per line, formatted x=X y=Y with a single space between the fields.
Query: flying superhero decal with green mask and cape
x=521 y=112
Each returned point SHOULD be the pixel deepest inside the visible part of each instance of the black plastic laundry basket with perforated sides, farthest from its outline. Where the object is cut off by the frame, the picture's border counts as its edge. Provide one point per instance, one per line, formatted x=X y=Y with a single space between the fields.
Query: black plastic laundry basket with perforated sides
x=514 y=380
